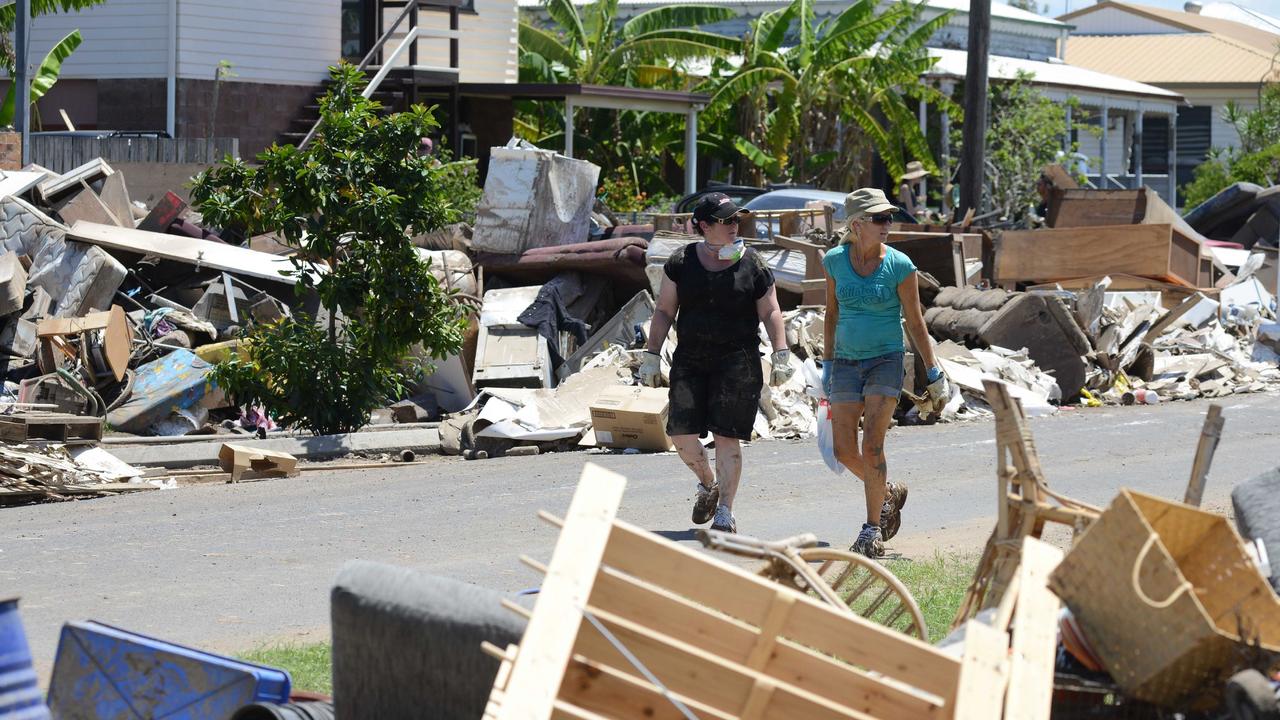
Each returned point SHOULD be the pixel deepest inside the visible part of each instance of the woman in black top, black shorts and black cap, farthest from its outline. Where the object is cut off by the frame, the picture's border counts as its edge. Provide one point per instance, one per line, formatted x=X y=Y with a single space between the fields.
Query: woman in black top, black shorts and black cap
x=724 y=291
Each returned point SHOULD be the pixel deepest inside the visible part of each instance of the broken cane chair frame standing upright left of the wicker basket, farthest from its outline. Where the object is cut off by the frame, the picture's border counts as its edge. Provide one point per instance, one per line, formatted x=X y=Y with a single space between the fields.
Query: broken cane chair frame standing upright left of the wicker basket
x=1025 y=502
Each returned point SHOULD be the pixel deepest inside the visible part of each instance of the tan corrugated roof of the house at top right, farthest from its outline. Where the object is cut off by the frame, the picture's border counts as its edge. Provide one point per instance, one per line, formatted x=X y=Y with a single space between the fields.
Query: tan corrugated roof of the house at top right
x=1171 y=60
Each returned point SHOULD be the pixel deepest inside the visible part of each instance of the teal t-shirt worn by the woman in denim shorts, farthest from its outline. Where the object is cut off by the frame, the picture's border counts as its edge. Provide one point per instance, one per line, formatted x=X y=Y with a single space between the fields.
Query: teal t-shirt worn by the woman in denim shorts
x=871 y=315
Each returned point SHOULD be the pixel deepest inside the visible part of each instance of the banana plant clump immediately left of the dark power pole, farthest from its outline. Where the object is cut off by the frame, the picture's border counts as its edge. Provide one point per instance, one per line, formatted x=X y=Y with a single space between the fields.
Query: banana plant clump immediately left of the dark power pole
x=816 y=107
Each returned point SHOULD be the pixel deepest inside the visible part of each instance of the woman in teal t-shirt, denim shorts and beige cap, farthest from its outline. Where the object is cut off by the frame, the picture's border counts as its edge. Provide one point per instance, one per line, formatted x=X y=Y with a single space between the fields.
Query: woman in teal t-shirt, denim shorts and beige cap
x=871 y=290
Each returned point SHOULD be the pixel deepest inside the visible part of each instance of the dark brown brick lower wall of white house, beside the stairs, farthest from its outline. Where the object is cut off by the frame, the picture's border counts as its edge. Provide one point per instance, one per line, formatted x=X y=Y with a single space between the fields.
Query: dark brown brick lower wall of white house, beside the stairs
x=257 y=113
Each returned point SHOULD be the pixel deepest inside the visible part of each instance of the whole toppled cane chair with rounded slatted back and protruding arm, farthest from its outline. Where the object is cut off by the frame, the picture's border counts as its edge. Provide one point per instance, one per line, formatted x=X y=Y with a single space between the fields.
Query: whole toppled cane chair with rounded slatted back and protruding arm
x=838 y=577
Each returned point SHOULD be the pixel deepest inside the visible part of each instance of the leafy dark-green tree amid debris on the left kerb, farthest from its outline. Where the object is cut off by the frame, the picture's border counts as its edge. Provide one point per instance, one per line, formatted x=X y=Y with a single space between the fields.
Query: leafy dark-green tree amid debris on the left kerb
x=348 y=203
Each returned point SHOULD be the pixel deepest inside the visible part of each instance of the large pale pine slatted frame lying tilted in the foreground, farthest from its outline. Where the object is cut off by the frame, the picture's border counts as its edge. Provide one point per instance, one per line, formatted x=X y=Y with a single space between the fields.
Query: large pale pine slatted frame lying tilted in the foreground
x=629 y=625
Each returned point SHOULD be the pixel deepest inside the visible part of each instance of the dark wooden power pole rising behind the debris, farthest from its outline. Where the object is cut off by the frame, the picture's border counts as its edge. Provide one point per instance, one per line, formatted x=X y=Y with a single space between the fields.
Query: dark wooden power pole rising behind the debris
x=972 y=161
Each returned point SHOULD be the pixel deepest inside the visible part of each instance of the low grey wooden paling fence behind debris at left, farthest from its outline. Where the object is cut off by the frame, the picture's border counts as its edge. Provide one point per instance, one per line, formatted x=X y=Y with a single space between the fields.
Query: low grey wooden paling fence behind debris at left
x=65 y=153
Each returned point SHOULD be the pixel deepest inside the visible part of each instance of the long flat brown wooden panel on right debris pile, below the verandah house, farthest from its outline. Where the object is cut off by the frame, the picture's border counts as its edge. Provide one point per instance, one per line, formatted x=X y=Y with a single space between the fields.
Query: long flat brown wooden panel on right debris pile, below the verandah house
x=1072 y=253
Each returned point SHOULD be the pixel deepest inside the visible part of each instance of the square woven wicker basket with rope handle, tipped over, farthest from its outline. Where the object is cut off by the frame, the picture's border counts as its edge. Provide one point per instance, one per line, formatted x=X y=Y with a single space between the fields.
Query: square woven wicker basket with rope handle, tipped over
x=1168 y=598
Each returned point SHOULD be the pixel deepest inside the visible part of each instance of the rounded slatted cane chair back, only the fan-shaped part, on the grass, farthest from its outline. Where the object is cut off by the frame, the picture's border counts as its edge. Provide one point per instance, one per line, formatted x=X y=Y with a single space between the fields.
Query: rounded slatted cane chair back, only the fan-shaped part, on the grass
x=868 y=590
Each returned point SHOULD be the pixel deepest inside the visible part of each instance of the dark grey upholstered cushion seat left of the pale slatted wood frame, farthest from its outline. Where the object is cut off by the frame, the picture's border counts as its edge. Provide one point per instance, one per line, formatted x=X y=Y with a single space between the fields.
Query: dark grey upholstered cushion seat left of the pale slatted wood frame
x=432 y=626
